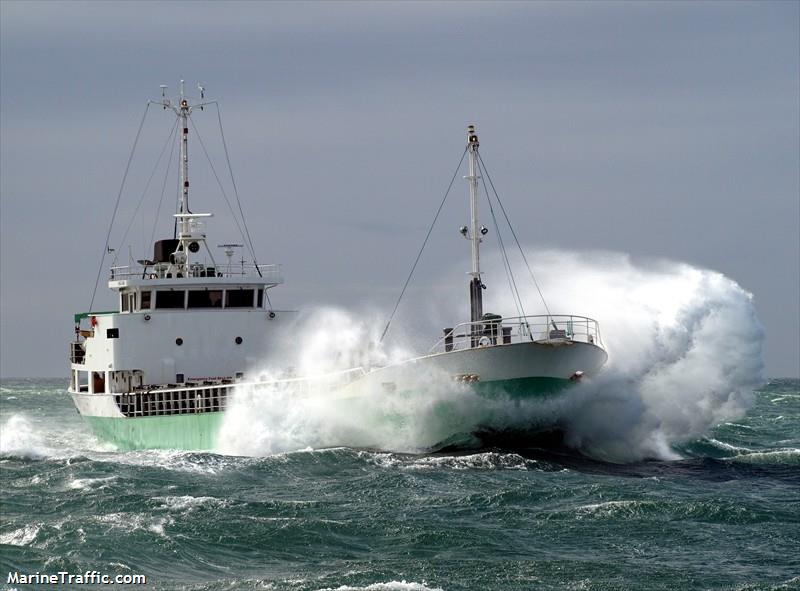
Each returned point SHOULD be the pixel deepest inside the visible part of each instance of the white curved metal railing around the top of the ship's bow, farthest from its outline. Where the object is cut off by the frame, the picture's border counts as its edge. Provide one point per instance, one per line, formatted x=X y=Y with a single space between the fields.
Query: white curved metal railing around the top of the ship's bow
x=495 y=330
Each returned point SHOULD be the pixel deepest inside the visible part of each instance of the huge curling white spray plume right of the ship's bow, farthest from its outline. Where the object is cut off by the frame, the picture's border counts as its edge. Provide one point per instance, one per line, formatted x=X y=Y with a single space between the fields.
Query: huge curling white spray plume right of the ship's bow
x=685 y=351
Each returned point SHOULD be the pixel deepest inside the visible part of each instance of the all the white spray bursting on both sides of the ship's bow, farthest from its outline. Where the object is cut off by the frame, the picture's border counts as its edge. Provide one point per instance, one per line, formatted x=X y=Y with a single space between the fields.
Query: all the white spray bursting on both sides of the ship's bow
x=684 y=355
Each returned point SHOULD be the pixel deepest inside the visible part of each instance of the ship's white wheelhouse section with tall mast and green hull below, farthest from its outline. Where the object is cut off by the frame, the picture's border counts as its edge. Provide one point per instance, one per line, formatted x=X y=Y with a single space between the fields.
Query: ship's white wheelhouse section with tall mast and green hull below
x=187 y=326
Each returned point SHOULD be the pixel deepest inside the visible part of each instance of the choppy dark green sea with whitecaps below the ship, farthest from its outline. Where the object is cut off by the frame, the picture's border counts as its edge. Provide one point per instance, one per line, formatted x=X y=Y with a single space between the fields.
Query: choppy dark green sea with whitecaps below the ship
x=504 y=512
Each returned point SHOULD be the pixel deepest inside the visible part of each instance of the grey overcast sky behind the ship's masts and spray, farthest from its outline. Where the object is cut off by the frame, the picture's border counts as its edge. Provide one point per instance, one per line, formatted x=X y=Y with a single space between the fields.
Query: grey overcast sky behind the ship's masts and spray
x=664 y=130
